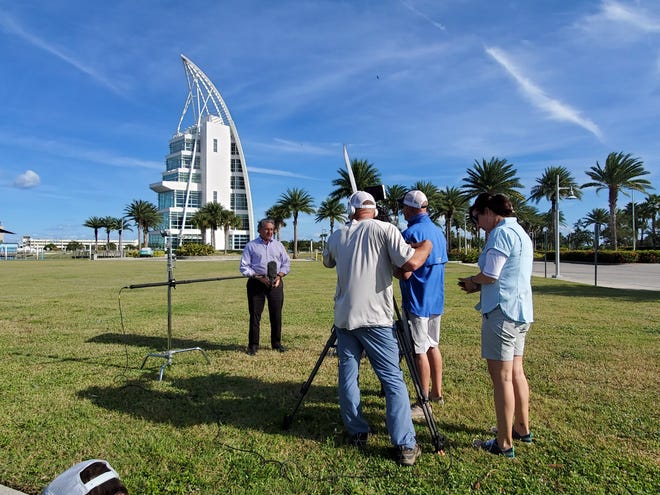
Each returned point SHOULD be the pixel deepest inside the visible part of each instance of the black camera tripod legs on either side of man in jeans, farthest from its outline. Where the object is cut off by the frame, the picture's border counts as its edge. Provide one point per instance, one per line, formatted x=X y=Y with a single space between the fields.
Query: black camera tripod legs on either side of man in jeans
x=404 y=339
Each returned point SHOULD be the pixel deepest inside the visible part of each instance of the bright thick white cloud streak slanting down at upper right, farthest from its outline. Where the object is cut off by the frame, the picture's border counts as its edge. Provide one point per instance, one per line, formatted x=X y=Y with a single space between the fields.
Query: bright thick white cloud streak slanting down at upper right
x=554 y=108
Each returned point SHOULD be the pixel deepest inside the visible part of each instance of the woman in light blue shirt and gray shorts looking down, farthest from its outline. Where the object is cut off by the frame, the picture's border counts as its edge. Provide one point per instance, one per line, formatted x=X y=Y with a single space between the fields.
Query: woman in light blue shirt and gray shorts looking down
x=504 y=283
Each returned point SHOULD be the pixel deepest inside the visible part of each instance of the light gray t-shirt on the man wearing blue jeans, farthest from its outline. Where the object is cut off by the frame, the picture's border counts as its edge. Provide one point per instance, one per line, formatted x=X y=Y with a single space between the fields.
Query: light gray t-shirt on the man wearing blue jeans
x=363 y=253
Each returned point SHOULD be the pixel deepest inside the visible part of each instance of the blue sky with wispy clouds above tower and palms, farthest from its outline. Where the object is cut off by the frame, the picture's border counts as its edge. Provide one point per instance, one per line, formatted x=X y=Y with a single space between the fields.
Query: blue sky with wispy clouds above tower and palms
x=92 y=92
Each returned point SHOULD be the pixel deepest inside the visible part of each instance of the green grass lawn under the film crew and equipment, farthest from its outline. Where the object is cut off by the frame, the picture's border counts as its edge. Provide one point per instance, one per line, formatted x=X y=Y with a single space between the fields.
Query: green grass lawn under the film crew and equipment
x=71 y=388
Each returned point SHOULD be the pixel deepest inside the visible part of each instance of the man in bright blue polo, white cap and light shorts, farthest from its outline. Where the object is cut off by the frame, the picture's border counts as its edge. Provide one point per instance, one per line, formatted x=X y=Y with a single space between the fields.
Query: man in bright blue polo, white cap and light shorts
x=423 y=296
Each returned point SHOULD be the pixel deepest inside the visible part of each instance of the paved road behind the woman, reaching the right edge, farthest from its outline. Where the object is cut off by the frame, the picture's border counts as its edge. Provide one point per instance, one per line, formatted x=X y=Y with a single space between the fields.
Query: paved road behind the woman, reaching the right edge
x=638 y=276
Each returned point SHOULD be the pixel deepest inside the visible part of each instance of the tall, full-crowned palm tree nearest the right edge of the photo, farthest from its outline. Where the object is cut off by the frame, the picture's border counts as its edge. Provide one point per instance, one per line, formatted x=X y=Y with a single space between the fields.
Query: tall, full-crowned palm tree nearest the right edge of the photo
x=621 y=171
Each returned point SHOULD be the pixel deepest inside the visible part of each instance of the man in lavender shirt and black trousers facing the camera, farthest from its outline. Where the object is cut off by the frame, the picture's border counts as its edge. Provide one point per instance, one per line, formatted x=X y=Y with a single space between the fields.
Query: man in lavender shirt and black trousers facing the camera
x=265 y=284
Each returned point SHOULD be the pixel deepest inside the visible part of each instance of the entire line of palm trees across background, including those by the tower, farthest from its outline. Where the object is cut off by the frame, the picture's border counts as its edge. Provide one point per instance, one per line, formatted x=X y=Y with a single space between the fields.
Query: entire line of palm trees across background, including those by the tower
x=621 y=173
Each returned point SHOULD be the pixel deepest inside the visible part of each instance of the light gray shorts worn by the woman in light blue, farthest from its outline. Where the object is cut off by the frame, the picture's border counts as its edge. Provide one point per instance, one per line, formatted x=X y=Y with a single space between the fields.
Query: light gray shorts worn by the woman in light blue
x=502 y=338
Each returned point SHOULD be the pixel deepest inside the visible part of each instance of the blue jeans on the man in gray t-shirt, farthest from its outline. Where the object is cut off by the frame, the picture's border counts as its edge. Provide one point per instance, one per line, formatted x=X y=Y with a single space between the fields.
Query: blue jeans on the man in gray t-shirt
x=382 y=349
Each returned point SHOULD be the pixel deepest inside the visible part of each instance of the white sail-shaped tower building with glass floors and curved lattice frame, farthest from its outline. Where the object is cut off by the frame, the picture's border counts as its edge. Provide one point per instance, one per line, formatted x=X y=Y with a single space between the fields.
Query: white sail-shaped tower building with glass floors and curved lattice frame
x=205 y=164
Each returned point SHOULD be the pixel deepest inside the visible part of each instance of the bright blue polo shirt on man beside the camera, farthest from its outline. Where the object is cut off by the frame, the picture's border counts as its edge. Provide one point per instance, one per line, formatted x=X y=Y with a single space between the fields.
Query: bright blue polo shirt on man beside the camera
x=424 y=292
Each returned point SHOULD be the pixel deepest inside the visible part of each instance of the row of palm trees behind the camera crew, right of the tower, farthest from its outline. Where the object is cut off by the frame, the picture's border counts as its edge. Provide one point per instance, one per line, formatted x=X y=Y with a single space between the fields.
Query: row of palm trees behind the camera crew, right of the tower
x=621 y=173
